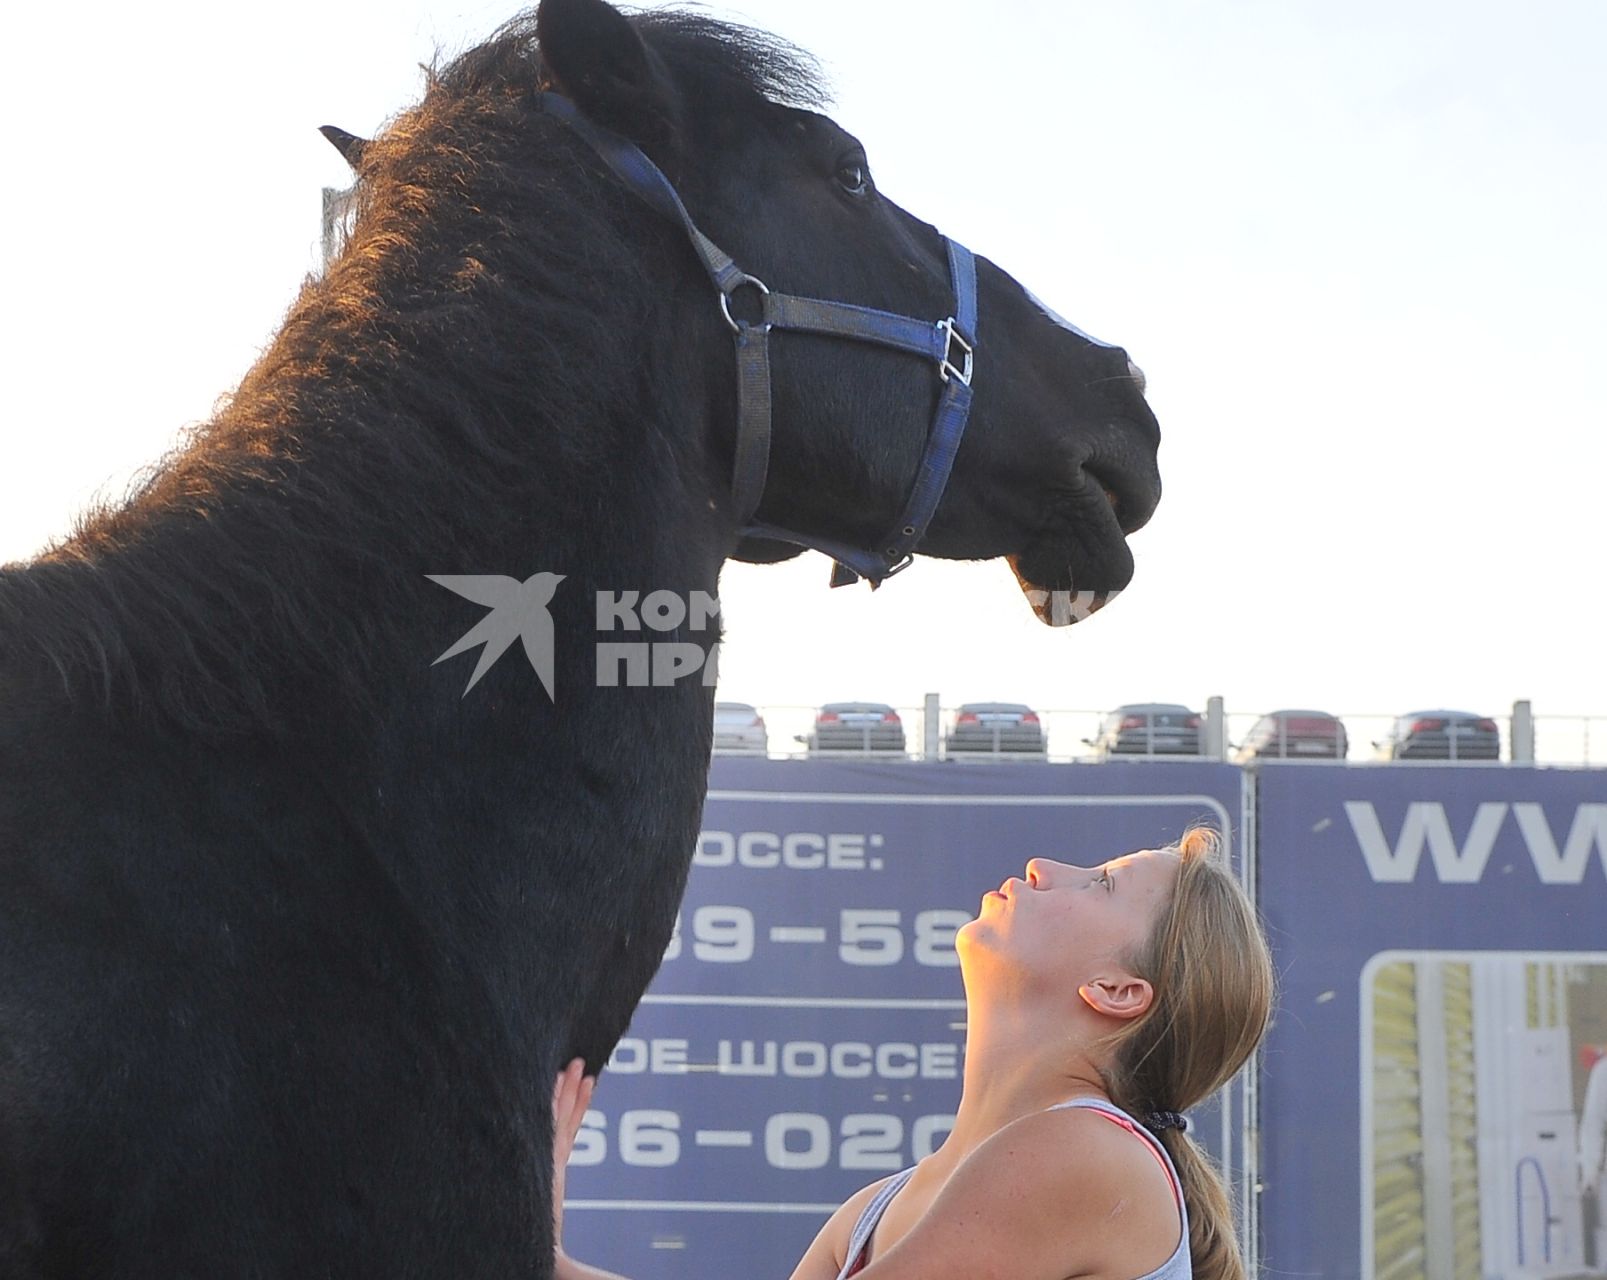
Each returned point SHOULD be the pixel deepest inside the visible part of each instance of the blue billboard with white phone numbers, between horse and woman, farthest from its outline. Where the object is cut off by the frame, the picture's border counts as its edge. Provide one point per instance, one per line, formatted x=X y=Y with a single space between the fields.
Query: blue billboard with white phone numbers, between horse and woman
x=806 y=1033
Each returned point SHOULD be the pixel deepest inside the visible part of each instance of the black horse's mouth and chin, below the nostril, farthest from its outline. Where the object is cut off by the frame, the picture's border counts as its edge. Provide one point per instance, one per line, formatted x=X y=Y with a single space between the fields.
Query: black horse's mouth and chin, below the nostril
x=1081 y=561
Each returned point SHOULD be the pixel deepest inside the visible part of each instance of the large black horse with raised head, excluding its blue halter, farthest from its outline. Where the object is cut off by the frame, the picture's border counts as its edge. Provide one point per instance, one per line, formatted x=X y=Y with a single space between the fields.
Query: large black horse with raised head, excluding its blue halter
x=293 y=931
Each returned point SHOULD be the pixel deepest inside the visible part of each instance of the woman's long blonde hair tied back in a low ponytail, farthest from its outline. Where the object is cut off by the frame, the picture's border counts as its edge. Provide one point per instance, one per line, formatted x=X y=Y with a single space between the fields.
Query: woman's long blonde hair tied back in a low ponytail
x=1212 y=976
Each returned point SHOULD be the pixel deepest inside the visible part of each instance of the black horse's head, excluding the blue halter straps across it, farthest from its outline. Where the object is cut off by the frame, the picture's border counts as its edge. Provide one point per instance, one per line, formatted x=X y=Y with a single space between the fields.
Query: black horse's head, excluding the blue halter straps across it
x=1058 y=463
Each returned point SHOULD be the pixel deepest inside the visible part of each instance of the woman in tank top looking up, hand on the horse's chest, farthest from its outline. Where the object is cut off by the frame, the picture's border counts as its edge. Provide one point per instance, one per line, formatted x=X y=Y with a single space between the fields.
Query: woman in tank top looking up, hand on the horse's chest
x=1103 y=1003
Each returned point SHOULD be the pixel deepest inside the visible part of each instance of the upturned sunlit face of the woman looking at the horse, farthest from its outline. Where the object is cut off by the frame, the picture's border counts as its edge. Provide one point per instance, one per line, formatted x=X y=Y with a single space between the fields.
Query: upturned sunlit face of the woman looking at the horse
x=1068 y=924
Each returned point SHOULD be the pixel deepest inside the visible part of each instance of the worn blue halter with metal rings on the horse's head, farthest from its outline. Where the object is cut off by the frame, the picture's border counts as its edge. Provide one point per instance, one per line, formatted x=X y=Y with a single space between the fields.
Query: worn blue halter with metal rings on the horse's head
x=951 y=344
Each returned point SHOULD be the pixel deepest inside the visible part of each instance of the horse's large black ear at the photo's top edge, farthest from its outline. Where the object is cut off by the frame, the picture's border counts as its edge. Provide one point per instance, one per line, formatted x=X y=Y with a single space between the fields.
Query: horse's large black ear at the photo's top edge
x=595 y=57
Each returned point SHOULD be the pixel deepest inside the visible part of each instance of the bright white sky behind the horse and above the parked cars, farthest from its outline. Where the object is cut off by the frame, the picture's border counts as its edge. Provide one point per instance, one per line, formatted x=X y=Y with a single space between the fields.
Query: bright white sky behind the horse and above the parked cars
x=1359 y=250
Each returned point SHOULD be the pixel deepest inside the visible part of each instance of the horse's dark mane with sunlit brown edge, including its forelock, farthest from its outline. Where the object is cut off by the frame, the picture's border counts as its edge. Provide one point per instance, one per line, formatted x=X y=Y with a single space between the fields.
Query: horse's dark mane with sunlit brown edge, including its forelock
x=263 y=553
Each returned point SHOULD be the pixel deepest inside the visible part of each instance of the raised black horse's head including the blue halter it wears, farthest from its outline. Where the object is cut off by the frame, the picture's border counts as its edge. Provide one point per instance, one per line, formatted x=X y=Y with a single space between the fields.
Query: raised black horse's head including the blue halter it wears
x=1057 y=465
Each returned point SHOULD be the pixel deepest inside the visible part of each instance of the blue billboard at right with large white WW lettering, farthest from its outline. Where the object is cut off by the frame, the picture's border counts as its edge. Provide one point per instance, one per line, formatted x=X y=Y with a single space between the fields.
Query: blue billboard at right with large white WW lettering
x=1442 y=945
